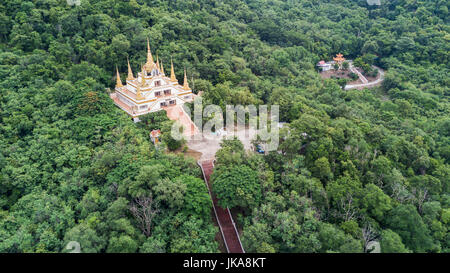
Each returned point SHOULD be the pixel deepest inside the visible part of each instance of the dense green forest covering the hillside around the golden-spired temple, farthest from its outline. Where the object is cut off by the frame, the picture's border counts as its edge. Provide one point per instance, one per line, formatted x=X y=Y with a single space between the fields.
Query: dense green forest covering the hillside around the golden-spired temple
x=374 y=164
